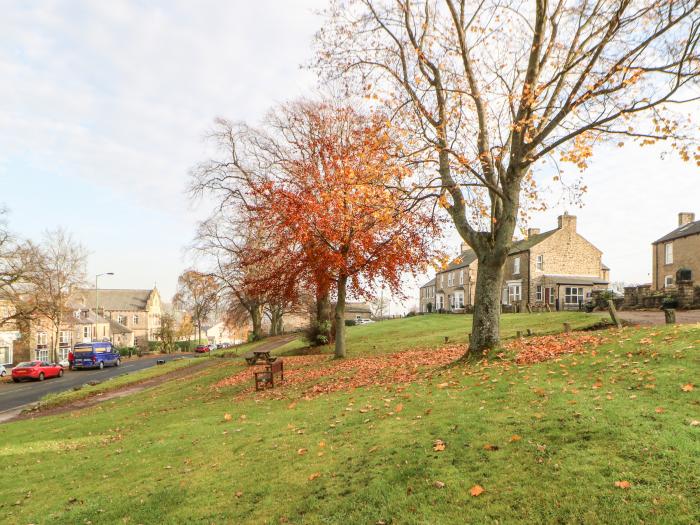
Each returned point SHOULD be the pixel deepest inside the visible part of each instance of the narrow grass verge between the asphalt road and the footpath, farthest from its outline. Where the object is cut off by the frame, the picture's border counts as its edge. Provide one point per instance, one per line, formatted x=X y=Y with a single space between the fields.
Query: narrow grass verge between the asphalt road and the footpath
x=70 y=396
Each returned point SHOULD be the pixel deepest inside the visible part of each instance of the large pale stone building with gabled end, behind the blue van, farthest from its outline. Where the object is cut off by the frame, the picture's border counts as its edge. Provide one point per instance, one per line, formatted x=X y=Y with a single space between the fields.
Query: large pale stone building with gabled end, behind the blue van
x=137 y=310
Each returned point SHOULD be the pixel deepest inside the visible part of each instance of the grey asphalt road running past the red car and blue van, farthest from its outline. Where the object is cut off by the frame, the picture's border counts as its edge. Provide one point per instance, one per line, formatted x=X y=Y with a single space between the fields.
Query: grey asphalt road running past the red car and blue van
x=16 y=395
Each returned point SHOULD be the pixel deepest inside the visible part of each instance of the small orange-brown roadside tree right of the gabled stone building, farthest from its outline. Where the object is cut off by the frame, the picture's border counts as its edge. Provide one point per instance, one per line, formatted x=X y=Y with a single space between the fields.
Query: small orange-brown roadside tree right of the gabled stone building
x=197 y=294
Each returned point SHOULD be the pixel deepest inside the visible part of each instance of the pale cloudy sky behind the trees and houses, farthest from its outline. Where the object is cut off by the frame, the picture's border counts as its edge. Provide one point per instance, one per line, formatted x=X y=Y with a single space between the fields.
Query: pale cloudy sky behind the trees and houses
x=104 y=107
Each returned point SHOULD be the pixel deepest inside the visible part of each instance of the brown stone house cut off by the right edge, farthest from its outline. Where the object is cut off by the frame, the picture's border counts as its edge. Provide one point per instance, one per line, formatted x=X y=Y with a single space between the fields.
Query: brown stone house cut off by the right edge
x=676 y=255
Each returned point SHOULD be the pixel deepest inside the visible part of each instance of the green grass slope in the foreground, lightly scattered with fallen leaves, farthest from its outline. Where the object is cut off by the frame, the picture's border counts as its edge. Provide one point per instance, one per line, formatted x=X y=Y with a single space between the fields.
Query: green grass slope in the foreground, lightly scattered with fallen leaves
x=168 y=455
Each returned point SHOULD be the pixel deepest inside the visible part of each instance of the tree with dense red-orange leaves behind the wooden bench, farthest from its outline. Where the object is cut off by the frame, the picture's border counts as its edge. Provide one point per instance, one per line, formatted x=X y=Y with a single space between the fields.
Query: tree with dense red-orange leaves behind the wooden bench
x=339 y=198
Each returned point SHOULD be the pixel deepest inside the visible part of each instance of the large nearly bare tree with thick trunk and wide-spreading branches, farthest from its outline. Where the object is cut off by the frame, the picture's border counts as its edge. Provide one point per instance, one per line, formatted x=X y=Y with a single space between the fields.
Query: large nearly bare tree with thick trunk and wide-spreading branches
x=485 y=93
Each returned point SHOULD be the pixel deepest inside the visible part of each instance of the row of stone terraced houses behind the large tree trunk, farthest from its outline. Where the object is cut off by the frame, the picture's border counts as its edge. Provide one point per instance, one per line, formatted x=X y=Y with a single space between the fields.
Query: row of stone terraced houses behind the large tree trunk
x=558 y=268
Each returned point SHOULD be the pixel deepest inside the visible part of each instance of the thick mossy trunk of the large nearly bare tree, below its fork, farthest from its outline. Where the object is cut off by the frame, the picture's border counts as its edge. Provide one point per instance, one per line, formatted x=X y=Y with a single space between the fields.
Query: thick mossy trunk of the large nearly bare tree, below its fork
x=487 y=304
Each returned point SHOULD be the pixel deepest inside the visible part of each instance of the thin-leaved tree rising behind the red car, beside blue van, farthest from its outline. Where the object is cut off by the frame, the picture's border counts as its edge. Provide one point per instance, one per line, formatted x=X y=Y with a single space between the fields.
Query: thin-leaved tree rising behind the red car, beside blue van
x=59 y=270
